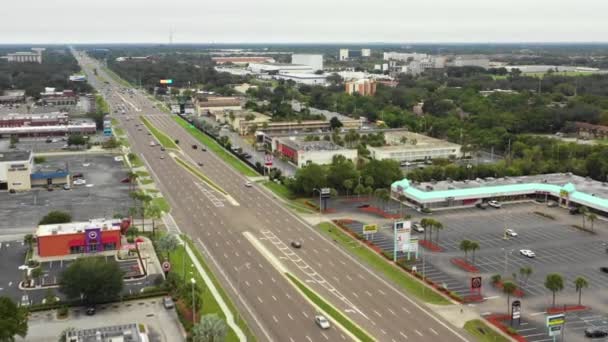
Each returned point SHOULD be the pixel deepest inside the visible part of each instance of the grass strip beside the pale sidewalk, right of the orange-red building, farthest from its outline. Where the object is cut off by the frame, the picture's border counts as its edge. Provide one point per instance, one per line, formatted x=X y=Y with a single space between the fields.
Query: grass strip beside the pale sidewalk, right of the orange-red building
x=181 y=262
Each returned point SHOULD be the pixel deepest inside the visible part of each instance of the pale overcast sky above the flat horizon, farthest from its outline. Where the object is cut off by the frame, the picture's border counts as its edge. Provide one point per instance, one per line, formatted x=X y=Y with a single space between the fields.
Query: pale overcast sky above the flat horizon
x=204 y=21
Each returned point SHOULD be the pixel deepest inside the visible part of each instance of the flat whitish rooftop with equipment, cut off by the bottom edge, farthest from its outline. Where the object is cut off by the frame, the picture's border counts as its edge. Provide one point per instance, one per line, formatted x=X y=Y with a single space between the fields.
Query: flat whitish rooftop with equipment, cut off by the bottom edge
x=116 y=333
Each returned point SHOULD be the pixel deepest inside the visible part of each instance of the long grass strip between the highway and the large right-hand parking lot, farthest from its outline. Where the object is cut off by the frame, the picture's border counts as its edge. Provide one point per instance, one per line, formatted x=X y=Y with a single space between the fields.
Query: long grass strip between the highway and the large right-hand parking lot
x=376 y=262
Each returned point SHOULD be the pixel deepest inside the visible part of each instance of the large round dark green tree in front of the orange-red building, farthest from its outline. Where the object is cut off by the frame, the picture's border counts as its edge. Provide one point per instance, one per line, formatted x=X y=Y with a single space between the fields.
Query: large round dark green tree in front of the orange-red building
x=92 y=279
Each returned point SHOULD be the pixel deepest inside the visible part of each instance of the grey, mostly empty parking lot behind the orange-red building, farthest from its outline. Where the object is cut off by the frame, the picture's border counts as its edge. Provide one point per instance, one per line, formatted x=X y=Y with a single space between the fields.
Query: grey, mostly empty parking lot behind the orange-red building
x=103 y=196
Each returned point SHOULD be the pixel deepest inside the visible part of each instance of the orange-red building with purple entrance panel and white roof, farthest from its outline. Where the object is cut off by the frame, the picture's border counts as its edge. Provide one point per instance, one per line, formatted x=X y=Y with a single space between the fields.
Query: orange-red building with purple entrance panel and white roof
x=96 y=235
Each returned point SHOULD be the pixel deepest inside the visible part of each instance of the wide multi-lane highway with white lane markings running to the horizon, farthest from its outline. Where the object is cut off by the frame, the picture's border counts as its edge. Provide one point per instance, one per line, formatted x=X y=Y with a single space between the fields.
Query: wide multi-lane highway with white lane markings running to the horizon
x=275 y=310
